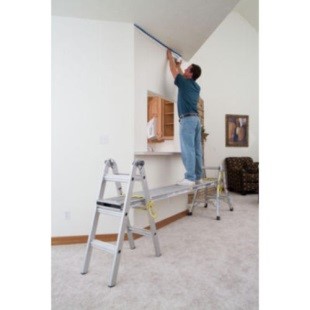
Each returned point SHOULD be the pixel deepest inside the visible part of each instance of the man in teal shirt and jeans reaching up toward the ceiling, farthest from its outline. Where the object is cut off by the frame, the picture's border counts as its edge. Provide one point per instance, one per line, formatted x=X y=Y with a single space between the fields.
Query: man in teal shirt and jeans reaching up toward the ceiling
x=190 y=127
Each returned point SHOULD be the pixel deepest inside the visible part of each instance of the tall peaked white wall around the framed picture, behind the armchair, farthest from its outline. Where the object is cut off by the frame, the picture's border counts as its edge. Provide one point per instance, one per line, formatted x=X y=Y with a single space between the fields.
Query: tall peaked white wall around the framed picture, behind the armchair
x=229 y=82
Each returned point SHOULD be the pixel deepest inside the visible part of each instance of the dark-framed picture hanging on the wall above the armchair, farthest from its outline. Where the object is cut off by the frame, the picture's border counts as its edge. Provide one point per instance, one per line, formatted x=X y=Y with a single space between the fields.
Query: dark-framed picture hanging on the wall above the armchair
x=237 y=130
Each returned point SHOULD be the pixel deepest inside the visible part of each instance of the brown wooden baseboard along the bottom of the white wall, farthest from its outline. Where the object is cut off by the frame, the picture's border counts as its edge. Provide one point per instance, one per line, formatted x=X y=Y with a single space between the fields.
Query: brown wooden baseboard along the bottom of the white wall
x=112 y=237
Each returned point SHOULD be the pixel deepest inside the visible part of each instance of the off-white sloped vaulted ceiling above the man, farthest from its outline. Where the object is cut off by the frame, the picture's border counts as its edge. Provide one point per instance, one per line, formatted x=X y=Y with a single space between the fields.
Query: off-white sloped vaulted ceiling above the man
x=183 y=25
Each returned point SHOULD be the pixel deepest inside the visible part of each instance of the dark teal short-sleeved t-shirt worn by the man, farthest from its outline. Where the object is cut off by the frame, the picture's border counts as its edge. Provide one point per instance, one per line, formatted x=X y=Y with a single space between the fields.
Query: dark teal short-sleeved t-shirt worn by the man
x=188 y=95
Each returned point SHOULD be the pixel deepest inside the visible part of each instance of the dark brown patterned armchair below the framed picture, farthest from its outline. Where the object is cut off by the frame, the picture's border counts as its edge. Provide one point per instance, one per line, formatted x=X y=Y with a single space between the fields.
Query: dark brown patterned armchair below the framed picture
x=242 y=175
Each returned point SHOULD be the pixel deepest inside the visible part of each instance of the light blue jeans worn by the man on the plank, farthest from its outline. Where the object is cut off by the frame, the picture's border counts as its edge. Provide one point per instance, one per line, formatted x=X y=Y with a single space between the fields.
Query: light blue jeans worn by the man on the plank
x=190 y=138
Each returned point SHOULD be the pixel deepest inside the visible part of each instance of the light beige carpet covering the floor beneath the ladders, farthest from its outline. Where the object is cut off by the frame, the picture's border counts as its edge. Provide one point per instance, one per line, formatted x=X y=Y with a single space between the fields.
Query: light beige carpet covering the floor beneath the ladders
x=205 y=264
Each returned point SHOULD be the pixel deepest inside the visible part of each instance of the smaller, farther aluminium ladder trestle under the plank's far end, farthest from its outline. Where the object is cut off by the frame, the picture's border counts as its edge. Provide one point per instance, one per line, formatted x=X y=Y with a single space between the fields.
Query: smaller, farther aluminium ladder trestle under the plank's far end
x=220 y=193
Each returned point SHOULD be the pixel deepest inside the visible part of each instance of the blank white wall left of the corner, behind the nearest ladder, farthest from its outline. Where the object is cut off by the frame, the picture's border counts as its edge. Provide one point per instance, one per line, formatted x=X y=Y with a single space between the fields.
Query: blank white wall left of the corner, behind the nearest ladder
x=92 y=115
